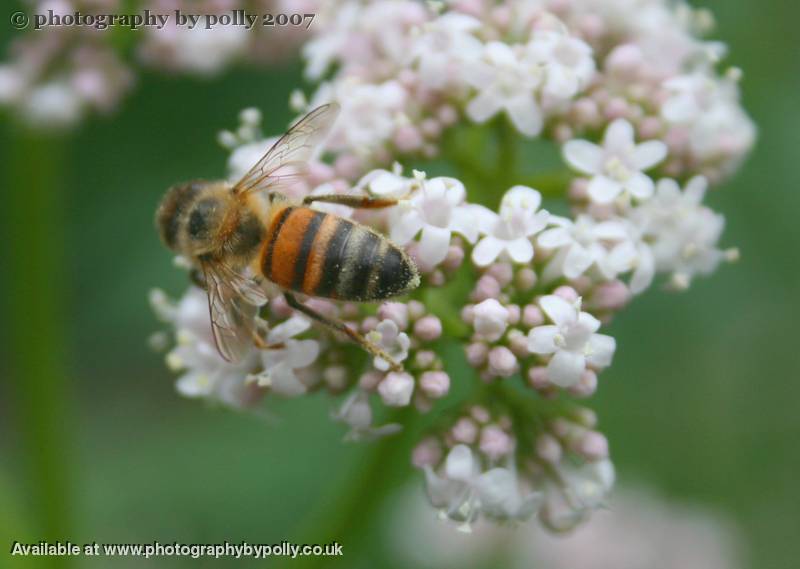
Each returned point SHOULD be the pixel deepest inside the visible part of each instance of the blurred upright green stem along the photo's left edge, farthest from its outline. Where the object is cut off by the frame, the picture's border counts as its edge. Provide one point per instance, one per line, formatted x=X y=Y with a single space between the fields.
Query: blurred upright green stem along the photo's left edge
x=35 y=224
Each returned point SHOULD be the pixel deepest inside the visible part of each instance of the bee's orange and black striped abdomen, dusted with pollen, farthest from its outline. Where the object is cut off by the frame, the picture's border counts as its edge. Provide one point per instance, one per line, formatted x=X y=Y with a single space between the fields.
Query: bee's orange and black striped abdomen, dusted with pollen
x=328 y=256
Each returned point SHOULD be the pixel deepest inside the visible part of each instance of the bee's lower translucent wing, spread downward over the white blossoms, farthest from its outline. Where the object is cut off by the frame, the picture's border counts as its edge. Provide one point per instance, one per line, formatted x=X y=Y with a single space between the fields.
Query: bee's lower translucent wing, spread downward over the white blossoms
x=233 y=302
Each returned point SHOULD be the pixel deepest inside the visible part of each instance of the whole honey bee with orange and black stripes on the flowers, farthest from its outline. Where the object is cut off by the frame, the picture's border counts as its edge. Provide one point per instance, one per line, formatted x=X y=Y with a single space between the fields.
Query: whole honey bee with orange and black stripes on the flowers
x=237 y=236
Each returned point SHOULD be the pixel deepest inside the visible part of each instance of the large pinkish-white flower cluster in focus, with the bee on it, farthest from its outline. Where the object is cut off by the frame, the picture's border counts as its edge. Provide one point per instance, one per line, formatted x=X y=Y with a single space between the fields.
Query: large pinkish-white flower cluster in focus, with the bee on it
x=524 y=292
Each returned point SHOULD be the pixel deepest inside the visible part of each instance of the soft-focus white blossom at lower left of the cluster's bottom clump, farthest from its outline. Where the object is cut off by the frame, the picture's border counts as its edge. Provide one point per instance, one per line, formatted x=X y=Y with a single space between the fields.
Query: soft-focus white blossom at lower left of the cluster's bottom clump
x=463 y=492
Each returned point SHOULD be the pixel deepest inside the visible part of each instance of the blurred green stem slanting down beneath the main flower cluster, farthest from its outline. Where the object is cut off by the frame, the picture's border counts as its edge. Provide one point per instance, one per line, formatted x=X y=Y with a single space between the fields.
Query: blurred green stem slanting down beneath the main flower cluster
x=350 y=517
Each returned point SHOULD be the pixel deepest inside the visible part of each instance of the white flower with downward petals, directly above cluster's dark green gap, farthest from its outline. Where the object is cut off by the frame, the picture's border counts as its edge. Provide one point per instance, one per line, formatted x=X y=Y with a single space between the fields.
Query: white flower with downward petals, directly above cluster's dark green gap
x=506 y=81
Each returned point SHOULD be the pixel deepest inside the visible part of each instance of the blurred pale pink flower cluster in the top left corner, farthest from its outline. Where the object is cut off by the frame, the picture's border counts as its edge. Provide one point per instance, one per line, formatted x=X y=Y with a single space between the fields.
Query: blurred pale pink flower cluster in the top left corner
x=57 y=76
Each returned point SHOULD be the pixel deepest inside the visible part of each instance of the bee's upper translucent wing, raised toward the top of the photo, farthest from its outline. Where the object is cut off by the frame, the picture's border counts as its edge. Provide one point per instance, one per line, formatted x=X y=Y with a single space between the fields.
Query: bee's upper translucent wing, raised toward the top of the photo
x=287 y=160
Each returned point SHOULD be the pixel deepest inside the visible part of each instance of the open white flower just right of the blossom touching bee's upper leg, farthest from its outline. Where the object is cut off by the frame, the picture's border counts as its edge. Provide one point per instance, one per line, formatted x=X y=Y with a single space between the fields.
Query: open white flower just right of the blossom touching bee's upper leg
x=509 y=233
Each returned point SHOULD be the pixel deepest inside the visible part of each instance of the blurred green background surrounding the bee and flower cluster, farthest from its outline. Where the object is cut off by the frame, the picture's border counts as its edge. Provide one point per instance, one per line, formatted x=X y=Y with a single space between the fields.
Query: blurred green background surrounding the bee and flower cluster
x=702 y=400
